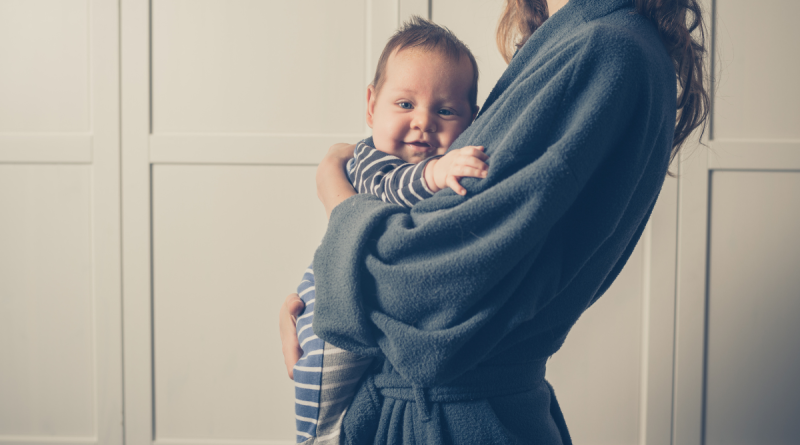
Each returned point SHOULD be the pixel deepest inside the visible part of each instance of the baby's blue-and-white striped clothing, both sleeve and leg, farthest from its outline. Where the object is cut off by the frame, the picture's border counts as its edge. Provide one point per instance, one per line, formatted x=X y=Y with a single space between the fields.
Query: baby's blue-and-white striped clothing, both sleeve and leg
x=326 y=377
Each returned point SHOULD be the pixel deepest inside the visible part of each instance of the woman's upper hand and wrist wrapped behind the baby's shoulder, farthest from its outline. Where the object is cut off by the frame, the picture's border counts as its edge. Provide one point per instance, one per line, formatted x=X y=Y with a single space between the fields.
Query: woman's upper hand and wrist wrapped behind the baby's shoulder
x=332 y=184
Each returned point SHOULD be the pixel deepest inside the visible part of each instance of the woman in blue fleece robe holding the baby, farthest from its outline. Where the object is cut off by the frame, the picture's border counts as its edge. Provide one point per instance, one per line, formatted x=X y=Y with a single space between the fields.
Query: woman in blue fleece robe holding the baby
x=465 y=297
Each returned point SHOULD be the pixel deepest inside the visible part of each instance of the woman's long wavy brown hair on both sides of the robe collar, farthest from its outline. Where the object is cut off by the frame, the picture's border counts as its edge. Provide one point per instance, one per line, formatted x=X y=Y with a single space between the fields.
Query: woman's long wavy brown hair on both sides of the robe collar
x=682 y=31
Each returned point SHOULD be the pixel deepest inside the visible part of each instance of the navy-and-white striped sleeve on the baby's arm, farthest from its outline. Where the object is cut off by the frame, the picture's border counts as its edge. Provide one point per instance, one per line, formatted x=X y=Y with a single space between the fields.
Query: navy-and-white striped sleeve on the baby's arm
x=388 y=177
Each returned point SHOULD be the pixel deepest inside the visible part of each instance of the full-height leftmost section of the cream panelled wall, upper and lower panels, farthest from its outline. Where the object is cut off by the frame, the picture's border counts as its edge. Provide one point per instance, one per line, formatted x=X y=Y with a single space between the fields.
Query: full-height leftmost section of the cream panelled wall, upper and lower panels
x=60 y=259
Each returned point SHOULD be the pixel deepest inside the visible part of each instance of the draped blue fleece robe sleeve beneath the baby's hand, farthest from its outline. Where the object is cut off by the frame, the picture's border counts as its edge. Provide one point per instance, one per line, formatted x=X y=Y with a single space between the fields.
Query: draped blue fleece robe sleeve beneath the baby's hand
x=435 y=288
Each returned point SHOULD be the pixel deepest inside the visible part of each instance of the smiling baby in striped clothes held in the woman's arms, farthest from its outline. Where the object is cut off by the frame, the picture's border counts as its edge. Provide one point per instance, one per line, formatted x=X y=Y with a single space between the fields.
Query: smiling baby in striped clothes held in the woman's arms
x=423 y=96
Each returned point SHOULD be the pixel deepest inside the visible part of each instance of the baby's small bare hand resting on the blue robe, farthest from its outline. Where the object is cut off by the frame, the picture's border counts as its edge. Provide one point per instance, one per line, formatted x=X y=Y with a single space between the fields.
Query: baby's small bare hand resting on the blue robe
x=456 y=164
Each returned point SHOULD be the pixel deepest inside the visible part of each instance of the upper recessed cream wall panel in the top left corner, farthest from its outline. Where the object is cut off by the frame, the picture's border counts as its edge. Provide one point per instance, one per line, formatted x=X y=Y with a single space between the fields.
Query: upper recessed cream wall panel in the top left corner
x=45 y=68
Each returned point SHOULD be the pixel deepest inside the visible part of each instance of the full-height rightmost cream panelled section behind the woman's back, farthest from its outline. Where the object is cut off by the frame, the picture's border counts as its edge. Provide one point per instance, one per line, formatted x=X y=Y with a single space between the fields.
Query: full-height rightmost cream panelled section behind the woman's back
x=737 y=218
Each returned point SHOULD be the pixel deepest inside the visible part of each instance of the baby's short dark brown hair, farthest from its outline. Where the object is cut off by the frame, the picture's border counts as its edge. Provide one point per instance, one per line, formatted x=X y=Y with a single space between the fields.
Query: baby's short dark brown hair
x=427 y=36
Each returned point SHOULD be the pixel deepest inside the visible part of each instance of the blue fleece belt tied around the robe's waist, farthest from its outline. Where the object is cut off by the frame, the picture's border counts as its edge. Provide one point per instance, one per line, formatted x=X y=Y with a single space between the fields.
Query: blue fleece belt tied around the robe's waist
x=483 y=382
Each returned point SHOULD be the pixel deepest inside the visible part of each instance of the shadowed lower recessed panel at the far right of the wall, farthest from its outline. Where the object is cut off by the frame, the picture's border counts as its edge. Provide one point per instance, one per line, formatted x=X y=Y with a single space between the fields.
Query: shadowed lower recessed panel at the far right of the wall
x=752 y=394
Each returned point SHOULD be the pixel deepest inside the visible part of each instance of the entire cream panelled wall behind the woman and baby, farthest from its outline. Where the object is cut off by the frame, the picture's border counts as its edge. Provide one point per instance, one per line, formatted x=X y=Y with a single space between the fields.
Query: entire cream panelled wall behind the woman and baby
x=172 y=143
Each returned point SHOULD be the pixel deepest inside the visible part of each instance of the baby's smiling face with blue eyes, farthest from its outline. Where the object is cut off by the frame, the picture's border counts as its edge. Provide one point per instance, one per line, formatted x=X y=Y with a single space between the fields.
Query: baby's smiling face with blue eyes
x=422 y=105
